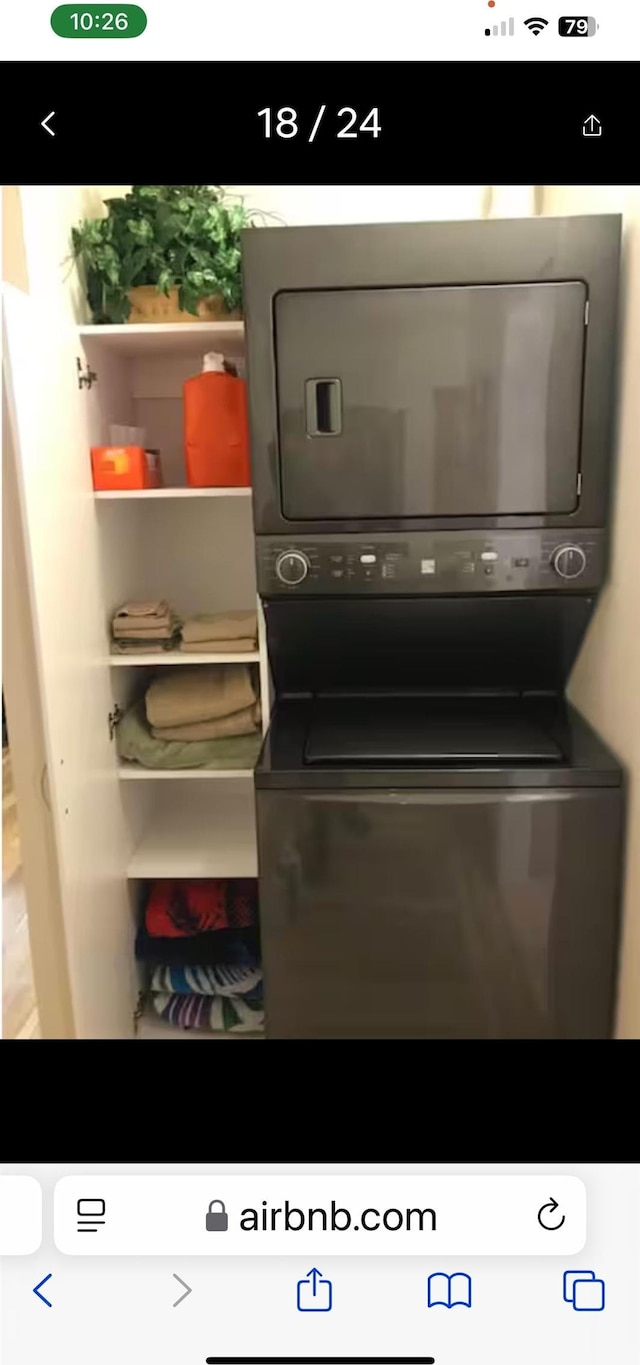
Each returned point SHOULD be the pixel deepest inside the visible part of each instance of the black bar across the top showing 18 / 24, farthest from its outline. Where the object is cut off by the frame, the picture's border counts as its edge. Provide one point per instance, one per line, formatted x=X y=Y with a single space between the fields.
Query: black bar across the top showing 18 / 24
x=396 y=124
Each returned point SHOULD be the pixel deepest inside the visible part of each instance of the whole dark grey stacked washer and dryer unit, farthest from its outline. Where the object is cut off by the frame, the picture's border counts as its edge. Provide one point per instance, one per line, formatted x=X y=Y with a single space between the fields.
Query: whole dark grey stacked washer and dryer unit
x=440 y=833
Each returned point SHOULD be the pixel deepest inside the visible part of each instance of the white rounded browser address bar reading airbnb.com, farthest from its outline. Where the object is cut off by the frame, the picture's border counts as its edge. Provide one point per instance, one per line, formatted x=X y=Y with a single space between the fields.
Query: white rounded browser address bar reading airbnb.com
x=392 y=1216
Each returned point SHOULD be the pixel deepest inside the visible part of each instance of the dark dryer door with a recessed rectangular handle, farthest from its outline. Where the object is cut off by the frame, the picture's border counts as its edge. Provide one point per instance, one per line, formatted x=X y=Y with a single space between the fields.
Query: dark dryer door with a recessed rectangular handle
x=431 y=402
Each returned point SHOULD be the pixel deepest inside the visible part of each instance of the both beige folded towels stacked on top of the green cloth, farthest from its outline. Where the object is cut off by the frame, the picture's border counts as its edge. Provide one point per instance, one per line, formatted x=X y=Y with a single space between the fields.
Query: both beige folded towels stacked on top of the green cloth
x=205 y=704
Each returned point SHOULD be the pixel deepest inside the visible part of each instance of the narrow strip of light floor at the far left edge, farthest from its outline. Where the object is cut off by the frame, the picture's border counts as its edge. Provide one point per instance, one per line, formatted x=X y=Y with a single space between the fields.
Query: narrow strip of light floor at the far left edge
x=20 y=1011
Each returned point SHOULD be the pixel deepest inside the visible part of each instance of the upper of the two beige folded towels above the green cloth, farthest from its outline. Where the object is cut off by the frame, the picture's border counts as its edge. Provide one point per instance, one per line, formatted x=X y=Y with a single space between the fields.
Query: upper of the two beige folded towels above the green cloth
x=188 y=697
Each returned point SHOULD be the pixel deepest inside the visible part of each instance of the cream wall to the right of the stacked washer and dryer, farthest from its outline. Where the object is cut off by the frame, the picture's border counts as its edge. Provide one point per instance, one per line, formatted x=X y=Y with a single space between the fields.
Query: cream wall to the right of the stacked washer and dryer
x=607 y=680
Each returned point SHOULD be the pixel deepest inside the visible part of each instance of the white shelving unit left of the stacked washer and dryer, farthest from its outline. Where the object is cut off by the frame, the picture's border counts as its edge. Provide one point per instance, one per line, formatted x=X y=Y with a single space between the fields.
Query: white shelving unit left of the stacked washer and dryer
x=118 y=825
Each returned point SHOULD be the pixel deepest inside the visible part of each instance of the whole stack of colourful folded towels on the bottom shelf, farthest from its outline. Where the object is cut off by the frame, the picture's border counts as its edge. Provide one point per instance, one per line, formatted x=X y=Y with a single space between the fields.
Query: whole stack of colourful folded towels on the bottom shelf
x=200 y=941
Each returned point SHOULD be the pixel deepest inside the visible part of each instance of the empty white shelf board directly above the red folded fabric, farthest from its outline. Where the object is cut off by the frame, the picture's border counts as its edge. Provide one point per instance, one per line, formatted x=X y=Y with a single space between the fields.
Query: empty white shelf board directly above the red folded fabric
x=205 y=840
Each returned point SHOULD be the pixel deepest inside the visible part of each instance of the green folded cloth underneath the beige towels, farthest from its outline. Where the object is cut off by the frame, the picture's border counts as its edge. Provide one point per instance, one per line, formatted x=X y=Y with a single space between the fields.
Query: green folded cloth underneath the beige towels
x=137 y=745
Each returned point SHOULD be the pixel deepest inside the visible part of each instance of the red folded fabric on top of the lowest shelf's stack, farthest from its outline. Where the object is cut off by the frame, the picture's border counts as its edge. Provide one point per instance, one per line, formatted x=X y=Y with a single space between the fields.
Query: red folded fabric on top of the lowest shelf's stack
x=181 y=910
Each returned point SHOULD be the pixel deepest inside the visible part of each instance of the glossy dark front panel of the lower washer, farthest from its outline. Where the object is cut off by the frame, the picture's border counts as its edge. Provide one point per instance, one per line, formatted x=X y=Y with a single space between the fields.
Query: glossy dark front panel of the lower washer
x=459 y=914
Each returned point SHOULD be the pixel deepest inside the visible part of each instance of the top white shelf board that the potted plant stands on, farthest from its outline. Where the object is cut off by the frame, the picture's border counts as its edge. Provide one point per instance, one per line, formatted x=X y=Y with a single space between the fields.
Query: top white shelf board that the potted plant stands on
x=169 y=338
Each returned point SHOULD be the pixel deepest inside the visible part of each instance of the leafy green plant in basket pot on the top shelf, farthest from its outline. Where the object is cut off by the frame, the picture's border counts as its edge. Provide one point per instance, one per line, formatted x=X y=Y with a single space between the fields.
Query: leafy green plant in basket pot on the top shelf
x=164 y=255
